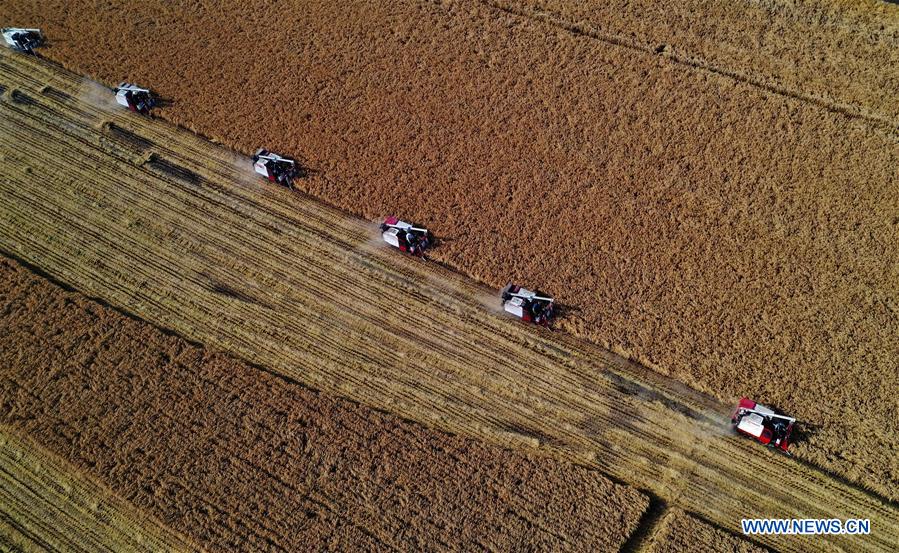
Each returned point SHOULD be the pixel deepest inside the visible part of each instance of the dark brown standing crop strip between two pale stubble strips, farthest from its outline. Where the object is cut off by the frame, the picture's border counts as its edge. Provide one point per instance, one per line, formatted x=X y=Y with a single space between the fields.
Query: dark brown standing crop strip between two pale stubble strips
x=240 y=459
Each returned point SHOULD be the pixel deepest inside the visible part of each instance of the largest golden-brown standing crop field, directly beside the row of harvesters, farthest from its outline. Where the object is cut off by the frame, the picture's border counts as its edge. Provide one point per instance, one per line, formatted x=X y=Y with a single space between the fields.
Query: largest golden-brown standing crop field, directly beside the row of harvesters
x=741 y=240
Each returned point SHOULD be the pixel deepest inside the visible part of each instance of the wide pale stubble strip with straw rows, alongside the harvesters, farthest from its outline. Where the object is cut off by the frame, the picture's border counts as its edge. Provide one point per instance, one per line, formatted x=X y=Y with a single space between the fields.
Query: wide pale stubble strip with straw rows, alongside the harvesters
x=334 y=312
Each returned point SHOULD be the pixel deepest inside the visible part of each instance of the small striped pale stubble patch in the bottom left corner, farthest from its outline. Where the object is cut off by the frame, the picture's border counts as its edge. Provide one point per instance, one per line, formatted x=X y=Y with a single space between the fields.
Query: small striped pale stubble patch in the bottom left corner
x=47 y=505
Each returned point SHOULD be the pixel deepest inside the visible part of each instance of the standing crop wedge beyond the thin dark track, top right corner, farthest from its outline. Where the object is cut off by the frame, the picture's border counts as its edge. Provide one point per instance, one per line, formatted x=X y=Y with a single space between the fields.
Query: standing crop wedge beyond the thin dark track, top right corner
x=779 y=47
